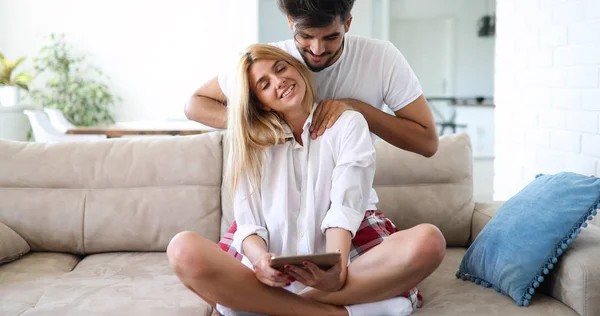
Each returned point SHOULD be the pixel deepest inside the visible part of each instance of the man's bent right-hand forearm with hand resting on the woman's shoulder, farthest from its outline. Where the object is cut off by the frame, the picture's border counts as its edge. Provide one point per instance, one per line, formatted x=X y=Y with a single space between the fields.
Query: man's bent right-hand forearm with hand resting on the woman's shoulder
x=412 y=129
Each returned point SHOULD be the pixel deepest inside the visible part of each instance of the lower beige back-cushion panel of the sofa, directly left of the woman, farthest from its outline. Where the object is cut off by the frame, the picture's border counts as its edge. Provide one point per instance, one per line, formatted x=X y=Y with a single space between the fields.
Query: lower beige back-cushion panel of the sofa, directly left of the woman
x=145 y=219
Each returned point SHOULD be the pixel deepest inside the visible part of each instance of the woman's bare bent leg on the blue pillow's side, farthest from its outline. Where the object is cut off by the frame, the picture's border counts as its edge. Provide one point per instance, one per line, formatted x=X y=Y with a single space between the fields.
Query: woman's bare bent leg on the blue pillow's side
x=389 y=269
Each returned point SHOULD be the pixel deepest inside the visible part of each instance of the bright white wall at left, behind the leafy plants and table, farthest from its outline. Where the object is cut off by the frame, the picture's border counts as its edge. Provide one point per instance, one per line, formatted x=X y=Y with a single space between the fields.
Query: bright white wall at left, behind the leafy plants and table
x=156 y=52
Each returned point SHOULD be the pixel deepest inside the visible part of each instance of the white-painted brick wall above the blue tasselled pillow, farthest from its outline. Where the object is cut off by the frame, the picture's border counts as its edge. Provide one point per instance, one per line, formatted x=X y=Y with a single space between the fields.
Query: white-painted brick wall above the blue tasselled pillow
x=547 y=90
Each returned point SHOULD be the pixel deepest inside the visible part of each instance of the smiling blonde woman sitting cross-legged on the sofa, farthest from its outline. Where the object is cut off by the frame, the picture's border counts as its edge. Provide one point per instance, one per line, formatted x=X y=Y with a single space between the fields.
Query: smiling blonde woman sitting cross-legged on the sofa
x=293 y=195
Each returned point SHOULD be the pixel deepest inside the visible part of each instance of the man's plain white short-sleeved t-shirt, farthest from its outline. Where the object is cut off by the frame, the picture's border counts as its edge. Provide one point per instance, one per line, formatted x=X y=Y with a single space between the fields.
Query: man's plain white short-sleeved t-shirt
x=369 y=70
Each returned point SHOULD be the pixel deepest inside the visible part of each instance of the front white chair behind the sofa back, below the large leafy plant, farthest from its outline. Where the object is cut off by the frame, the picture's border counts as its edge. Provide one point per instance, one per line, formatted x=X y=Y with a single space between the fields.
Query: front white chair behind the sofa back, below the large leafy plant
x=45 y=132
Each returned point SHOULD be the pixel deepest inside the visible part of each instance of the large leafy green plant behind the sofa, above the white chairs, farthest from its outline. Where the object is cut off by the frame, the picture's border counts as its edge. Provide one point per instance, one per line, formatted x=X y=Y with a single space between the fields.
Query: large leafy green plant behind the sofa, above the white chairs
x=72 y=85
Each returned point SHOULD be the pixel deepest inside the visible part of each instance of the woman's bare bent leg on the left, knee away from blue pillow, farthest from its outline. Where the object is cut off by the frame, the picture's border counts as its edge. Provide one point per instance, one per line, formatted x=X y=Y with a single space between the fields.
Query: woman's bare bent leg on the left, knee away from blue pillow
x=219 y=278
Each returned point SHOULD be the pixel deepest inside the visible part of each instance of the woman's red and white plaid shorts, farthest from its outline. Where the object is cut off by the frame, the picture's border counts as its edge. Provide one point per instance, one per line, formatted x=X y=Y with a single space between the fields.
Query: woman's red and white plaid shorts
x=373 y=230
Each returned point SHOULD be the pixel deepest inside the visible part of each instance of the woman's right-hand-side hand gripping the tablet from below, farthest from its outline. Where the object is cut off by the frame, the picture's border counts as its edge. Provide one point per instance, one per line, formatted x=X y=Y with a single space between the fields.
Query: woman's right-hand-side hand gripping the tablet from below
x=311 y=275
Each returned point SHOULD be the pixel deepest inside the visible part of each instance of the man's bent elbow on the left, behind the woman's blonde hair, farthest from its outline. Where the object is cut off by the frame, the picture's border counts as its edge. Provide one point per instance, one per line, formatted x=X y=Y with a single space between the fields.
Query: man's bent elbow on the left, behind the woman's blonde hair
x=208 y=105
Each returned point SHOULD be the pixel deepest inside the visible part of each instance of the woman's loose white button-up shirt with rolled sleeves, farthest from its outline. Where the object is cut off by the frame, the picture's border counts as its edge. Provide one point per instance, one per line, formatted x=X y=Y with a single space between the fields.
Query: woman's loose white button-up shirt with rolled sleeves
x=306 y=189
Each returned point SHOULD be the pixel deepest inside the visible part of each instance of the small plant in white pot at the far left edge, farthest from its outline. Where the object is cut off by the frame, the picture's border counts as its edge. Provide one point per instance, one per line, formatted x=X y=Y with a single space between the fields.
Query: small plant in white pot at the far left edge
x=11 y=83
